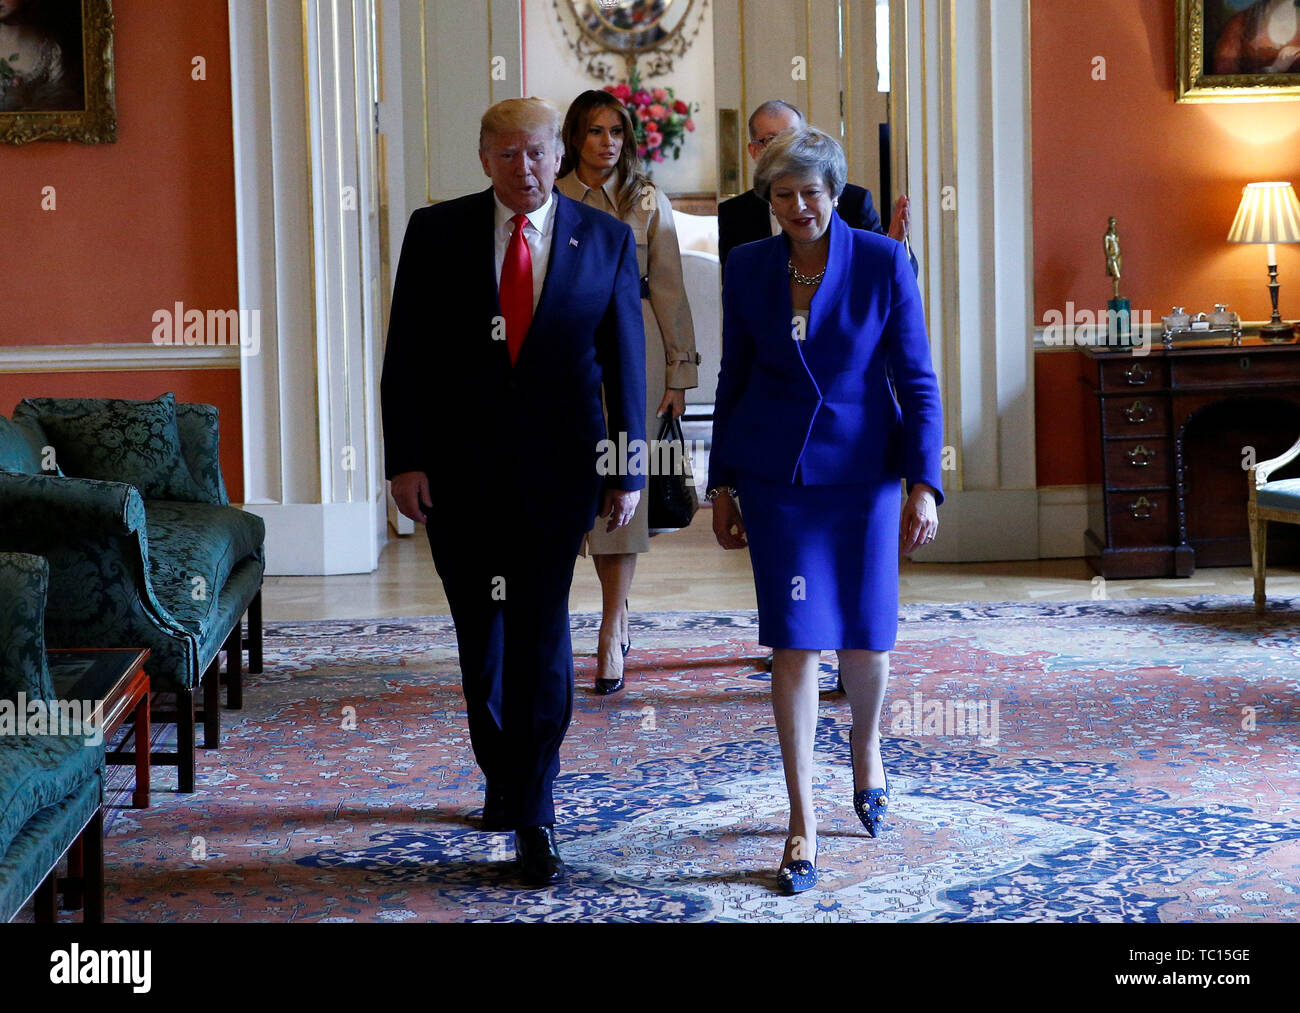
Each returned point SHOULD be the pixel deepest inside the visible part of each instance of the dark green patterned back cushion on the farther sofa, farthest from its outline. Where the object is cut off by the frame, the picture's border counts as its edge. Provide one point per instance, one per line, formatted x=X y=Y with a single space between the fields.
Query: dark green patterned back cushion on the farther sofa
x=127 y=441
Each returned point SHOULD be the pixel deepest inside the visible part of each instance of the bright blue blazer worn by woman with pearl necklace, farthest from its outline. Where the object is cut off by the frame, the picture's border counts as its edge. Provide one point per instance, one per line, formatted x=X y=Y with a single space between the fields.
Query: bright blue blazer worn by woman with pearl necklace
x=856 y=401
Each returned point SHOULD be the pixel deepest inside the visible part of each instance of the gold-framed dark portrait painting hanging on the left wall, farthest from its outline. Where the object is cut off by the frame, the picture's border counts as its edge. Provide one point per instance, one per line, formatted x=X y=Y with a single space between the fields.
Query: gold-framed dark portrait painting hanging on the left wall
x=71 y=47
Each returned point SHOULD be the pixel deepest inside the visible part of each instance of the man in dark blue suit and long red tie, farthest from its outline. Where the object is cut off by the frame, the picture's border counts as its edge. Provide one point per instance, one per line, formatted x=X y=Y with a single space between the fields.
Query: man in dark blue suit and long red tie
x=512 y=311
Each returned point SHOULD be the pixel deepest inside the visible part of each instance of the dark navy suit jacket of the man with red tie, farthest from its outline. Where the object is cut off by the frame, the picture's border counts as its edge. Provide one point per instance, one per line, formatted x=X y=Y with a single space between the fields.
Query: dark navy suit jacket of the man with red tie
x=456 y=409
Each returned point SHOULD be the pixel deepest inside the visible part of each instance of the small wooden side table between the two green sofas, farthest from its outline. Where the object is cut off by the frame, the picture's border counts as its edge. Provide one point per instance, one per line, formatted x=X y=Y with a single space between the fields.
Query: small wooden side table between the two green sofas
x=116 y=678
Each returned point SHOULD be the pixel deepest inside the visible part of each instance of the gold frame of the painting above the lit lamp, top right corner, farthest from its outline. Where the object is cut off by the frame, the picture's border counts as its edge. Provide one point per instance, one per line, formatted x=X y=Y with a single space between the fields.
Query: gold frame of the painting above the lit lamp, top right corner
x=1202 y=25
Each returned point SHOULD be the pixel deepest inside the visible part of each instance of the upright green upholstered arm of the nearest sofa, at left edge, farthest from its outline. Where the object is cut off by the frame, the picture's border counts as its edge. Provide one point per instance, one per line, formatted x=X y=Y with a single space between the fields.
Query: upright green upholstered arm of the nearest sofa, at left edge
x=24 y=586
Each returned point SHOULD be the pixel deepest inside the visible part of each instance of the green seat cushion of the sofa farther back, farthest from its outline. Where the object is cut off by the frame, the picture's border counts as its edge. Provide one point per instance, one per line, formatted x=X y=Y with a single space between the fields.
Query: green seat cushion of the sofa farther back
x=197 y=540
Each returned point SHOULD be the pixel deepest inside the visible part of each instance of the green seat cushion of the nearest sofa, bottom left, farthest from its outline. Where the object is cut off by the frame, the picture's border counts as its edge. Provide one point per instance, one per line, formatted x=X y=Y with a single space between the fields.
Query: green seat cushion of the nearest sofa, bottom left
x=38 y=772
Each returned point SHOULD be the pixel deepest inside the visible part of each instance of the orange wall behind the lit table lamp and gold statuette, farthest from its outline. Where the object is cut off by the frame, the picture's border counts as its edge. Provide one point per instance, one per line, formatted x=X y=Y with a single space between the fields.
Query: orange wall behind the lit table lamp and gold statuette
x=1171 y=174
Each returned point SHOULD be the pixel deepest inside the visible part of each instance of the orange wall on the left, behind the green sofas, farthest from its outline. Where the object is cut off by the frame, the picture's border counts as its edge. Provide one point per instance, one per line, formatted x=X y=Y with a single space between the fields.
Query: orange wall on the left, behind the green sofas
x=140 y=226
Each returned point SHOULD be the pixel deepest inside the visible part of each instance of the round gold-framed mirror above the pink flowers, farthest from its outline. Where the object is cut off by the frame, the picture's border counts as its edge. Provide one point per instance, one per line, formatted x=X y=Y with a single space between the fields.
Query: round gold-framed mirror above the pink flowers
x=612 y=38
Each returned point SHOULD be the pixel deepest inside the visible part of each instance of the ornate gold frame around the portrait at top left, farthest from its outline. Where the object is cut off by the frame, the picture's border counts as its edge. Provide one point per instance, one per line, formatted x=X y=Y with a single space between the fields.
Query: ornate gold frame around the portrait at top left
x=94 y=118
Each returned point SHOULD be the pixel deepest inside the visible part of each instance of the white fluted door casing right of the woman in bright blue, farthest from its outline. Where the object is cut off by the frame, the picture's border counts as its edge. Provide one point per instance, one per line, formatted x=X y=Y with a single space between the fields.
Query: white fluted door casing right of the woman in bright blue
x=963 y=97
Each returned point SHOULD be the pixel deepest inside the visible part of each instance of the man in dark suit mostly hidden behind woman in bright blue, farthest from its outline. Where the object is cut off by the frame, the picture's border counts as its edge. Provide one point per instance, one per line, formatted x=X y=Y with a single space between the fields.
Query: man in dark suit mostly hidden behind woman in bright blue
x=747 y=219
